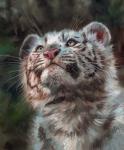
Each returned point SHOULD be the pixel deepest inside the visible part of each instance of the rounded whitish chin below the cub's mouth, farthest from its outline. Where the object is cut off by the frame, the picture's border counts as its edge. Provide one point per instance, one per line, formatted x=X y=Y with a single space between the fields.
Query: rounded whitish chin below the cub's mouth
x=55 y=77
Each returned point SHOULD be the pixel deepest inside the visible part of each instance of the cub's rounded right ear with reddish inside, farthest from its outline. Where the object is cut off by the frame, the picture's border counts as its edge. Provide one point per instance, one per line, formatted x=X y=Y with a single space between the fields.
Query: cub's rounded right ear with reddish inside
x=96 y=31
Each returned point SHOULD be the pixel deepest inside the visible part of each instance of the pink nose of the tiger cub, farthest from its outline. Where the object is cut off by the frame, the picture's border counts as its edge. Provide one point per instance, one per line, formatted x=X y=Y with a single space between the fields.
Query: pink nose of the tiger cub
x=51 y=54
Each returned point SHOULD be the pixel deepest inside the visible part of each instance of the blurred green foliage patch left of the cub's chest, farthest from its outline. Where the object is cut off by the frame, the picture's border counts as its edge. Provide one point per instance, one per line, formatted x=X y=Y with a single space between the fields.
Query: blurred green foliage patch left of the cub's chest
x=13 y=115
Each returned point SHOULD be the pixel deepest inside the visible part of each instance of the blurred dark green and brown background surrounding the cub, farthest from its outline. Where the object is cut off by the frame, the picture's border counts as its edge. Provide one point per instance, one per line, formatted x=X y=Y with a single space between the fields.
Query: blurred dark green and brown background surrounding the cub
x=21 y=17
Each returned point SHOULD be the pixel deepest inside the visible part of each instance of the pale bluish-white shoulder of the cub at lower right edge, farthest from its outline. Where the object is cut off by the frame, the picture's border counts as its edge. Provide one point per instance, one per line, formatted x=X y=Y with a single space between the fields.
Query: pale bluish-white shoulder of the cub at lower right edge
x=116 y=139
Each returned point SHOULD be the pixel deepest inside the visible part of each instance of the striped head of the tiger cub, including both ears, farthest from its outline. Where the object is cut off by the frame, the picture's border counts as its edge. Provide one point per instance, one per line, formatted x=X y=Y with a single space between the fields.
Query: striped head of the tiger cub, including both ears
x=63 y=59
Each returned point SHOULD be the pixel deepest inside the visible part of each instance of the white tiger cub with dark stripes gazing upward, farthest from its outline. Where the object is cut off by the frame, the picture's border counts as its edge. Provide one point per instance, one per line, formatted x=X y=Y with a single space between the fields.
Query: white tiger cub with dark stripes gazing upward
x=70 y=79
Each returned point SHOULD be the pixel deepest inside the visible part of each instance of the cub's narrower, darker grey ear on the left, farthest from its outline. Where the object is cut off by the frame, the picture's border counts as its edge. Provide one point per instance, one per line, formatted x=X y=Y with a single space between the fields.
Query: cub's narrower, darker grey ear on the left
x=28 y=44
